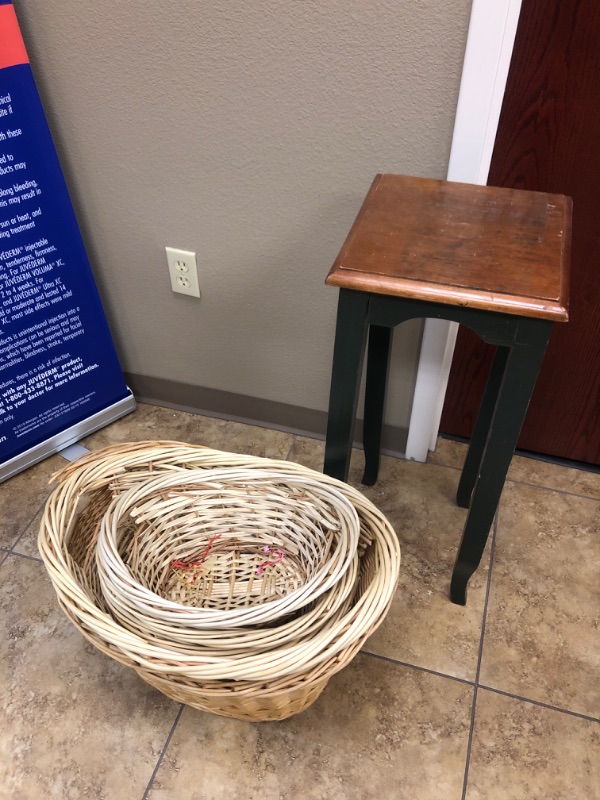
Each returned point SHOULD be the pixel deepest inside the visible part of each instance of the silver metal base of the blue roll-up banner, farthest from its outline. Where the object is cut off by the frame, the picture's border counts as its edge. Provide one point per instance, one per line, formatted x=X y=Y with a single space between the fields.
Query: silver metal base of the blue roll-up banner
x=63 y=439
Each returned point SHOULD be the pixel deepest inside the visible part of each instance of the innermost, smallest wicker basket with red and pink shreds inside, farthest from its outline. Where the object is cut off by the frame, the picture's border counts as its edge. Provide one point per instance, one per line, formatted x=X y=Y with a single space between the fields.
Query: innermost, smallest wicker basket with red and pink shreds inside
x=226 y=547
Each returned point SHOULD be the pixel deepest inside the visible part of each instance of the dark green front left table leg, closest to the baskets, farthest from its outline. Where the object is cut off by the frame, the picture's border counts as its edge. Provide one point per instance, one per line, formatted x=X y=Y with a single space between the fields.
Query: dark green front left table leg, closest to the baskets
x=348 y=356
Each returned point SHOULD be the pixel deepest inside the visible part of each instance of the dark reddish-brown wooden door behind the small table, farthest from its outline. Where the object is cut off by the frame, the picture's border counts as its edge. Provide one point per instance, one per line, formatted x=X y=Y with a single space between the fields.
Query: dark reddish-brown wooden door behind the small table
x=549 y=140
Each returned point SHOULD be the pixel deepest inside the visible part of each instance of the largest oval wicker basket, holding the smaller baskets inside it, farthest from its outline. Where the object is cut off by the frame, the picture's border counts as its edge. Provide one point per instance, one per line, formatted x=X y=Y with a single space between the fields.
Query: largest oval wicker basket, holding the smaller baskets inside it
x=240 y=676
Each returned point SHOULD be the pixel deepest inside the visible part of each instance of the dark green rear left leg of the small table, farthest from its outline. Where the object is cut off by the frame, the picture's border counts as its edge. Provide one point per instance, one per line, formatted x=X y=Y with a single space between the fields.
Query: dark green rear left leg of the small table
x=378 y=360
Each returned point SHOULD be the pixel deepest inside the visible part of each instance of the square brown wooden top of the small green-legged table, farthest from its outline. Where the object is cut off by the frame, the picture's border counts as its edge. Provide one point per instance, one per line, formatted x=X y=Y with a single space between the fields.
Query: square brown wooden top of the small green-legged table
x=503 y=250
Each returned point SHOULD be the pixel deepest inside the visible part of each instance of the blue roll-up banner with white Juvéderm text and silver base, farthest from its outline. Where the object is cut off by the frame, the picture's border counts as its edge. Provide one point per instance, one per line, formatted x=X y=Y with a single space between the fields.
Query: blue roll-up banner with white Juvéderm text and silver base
x=60 y=377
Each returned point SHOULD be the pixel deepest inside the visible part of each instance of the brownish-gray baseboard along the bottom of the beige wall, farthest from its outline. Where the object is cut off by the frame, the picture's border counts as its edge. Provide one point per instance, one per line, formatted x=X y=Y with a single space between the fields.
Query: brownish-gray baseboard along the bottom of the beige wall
x=250 y=410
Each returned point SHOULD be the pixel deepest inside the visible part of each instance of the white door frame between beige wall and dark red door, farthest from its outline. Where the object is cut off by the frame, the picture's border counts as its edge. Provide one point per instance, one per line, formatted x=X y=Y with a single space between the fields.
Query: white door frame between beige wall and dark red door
x=490 y=42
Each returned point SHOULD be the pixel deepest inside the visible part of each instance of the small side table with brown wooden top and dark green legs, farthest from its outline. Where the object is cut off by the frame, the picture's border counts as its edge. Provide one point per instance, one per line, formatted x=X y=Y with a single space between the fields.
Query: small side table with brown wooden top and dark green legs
x=493 y=259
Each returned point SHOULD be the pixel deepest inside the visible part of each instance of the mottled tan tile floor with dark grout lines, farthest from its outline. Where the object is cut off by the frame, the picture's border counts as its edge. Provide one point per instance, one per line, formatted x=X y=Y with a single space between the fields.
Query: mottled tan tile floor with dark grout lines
x=500 y=699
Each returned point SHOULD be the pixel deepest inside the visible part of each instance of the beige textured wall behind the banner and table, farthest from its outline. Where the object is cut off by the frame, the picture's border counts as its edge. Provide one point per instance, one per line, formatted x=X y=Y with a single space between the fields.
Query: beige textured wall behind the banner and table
x=248 y=132
